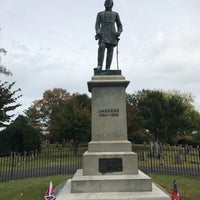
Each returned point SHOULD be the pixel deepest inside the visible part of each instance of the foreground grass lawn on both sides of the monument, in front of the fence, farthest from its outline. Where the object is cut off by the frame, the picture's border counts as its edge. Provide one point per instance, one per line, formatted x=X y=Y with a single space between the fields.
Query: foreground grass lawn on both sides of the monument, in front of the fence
x=34 y=189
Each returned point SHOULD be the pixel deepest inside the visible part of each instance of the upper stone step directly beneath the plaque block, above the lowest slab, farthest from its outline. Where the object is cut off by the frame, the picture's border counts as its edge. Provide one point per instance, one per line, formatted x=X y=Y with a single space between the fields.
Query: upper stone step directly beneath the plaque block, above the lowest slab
x=110 y=183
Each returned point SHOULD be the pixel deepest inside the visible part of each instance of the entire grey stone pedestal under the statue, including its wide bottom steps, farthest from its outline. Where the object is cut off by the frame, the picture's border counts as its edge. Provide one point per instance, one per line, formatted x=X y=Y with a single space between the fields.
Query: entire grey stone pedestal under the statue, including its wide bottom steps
x=110 y=168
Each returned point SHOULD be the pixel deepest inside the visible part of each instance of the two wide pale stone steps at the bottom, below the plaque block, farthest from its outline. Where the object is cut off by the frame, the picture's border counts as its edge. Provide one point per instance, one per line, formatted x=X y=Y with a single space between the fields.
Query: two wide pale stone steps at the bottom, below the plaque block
x=111 y=187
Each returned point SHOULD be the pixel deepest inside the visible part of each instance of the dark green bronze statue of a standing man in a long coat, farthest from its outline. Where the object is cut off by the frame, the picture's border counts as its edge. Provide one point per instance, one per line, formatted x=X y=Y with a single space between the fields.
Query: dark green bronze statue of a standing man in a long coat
x=107 y=34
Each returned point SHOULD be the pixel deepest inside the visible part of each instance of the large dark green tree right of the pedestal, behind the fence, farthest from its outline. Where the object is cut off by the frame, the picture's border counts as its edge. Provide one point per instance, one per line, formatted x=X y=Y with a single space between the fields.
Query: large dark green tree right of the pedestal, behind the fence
x=166 y=114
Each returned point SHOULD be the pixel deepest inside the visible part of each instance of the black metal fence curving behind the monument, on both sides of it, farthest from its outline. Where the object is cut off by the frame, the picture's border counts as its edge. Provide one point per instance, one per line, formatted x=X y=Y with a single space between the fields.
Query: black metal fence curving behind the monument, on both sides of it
x=154 y=158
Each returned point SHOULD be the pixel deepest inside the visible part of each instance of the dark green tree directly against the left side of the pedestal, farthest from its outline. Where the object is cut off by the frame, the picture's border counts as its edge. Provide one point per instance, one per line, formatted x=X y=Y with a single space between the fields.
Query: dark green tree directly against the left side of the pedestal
x=74 y=124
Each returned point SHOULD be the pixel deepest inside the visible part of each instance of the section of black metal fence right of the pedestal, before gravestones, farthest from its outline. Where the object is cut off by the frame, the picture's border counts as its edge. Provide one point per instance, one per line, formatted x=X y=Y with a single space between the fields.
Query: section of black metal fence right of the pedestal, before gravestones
x=169 y=160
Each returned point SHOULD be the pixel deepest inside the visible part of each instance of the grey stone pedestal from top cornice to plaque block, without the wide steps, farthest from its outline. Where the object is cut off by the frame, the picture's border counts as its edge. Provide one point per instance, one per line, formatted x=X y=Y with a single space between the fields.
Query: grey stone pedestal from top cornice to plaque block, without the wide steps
x=109 y=128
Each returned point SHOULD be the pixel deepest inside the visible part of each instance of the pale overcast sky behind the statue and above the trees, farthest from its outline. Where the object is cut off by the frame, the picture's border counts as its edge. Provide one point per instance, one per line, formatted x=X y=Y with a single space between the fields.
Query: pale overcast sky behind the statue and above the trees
x=51 y=44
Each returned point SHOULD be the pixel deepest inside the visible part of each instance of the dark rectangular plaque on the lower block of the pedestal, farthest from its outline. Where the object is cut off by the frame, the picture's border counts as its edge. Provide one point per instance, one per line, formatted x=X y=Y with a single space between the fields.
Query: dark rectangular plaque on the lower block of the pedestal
x=110 y=165
